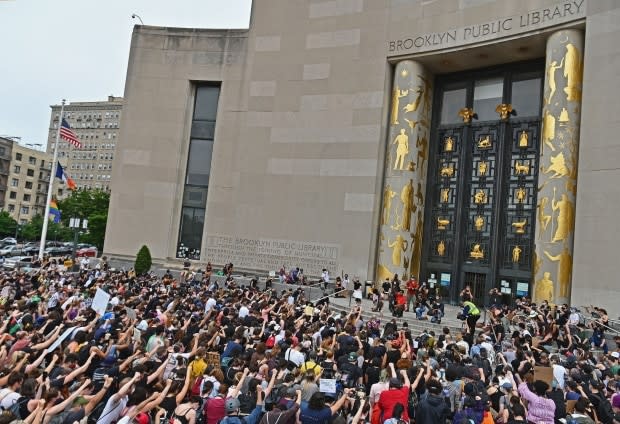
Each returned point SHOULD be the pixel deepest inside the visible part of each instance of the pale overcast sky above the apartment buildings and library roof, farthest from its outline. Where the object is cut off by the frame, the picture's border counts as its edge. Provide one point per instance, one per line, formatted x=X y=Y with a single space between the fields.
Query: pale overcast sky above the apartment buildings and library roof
x=78 y=50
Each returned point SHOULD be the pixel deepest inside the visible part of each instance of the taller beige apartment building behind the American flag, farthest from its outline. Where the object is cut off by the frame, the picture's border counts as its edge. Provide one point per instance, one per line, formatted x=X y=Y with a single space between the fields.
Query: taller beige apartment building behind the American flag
x=97 y=126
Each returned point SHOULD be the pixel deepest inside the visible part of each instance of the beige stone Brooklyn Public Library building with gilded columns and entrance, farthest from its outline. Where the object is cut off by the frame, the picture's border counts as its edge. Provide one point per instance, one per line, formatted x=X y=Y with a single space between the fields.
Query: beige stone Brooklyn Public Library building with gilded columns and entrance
x=463 y=142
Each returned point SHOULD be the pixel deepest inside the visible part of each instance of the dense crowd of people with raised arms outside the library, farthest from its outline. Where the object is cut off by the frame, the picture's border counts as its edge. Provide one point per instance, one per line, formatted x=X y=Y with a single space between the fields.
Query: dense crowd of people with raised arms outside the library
x=196 y=349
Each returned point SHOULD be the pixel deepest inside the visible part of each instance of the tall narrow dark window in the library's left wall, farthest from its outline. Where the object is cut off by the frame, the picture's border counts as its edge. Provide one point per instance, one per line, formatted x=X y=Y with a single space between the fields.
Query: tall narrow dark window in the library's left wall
x=198 y=171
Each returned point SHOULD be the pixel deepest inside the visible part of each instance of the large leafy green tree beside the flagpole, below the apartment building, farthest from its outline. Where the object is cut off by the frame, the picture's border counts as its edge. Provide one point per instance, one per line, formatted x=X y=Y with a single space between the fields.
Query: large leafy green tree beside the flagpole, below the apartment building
x=87 y=204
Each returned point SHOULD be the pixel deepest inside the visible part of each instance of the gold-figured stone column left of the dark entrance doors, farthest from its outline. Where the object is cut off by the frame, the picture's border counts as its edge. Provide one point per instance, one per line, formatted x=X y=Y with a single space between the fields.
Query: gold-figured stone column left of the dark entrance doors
x=404 y=177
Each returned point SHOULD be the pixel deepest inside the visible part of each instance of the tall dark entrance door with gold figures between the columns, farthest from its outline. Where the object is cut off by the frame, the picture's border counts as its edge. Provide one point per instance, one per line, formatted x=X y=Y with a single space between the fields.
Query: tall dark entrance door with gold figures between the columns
x=481 y=194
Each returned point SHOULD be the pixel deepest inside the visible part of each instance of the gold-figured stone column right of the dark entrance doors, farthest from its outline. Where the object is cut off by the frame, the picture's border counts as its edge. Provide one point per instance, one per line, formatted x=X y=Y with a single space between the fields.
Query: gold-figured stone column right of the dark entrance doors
x=557 y=178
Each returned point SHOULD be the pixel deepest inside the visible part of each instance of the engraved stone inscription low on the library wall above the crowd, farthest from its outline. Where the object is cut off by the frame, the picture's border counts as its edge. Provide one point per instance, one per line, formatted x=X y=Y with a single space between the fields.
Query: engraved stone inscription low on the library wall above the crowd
x=270 y=254
